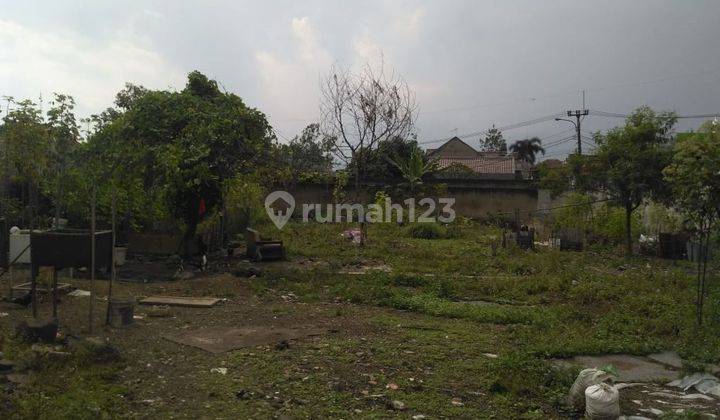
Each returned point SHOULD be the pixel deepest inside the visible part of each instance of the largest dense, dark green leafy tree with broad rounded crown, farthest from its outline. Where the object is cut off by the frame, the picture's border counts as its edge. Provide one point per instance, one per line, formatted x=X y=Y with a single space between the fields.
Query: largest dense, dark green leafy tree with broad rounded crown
x=185 y=146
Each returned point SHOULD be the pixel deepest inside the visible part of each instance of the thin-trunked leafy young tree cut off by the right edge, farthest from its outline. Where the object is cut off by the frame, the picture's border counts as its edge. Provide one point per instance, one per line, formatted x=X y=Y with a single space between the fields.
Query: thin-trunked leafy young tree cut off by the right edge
x=694 y=176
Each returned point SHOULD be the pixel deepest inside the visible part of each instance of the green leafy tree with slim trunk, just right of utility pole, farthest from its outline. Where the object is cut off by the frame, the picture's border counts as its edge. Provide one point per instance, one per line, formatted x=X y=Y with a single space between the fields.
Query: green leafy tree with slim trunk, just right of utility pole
x=629 y=161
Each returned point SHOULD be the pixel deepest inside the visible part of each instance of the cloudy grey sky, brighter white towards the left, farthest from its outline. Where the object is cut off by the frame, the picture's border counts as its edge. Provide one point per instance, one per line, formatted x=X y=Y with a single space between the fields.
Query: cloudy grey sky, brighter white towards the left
x=471 y=64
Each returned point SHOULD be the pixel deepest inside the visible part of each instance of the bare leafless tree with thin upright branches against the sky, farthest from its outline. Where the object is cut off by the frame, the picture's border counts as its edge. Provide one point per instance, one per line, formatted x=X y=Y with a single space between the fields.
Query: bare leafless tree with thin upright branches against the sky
x=358 y=111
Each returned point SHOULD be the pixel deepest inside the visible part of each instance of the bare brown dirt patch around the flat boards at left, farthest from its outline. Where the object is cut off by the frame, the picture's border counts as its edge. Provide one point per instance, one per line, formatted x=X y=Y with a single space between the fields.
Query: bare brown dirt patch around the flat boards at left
x=162 y=374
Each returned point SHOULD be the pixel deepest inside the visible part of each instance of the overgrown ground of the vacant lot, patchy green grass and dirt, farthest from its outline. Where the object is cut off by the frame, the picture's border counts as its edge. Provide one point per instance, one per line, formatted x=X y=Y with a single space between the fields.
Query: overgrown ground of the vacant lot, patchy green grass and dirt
x=416 y=321
